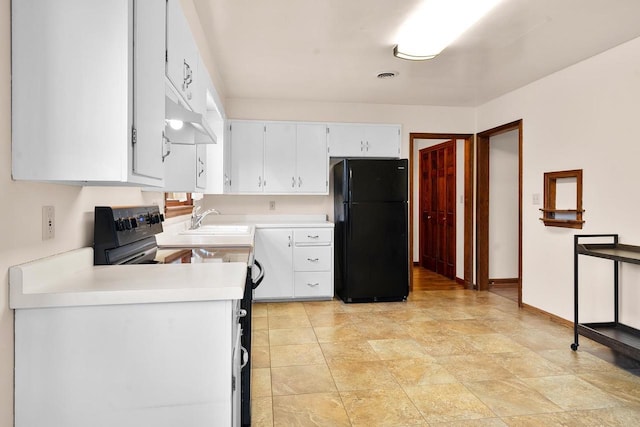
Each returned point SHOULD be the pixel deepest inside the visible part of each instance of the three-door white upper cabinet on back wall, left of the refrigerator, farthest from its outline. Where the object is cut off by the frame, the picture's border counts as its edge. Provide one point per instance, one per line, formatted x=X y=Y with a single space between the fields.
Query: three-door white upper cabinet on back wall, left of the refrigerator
x=278 y=158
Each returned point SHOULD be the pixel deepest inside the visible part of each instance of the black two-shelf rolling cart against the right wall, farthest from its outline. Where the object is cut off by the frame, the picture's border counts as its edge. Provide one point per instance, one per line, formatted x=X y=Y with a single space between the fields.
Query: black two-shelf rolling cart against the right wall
x=619 y=337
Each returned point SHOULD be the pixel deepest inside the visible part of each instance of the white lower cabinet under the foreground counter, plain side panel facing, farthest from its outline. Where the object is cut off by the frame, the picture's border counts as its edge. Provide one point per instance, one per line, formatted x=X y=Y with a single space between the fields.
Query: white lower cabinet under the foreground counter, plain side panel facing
x=129 y=365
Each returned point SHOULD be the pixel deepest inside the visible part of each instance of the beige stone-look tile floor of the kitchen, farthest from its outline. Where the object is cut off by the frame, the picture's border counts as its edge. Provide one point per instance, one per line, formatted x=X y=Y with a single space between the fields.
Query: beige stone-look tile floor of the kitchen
x=454 y=358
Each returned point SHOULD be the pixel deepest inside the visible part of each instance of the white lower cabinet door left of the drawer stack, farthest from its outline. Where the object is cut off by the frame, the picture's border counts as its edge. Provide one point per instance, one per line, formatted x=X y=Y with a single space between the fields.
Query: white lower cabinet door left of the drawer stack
x=274 y=250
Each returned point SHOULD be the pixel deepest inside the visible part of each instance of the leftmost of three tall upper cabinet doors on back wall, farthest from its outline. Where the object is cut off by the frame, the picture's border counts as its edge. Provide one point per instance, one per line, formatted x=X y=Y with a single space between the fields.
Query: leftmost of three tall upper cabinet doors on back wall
x=247 y=157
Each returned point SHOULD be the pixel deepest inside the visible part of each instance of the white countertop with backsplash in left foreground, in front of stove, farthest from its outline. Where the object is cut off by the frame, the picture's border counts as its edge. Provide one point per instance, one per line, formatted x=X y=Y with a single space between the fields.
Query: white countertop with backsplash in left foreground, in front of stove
x=71 y=279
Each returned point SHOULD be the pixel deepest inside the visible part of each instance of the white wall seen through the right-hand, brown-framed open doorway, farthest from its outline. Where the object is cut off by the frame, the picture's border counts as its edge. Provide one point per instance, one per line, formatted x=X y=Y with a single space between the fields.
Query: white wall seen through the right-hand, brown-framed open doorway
x=503 y=205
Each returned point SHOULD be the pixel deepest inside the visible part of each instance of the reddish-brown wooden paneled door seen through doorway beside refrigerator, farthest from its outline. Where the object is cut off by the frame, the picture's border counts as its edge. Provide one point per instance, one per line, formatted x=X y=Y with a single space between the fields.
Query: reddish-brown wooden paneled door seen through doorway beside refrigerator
x=437 y=205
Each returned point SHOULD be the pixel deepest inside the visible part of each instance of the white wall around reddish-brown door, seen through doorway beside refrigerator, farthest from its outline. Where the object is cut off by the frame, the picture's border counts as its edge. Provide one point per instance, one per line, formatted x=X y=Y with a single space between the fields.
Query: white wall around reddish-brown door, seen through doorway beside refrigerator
x=419 y=144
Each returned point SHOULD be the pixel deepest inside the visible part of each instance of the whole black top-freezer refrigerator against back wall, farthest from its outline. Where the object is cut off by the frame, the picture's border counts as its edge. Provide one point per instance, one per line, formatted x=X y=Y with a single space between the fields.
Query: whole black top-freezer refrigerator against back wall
x=371 y=232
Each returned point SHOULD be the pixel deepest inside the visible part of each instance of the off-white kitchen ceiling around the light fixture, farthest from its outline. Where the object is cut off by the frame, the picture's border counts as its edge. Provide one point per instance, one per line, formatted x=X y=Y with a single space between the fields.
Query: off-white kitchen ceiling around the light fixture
x=332 y=50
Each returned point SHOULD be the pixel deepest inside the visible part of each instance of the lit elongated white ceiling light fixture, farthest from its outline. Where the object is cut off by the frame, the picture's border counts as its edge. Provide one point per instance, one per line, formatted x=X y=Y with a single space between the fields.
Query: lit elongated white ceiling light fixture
x=436 y=24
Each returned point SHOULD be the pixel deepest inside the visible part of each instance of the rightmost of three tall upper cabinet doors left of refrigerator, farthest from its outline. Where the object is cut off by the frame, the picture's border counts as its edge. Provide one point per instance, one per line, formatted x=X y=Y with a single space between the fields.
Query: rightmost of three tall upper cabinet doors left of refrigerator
x=312 y=160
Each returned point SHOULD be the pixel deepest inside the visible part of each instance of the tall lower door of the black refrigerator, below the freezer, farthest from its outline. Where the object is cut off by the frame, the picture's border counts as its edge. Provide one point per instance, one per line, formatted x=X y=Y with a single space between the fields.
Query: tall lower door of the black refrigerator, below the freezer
x=376 y=252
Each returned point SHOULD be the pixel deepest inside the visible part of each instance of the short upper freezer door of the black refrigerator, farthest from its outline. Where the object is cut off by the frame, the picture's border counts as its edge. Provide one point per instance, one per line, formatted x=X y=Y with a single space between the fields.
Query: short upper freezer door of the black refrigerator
x=377 y=180
